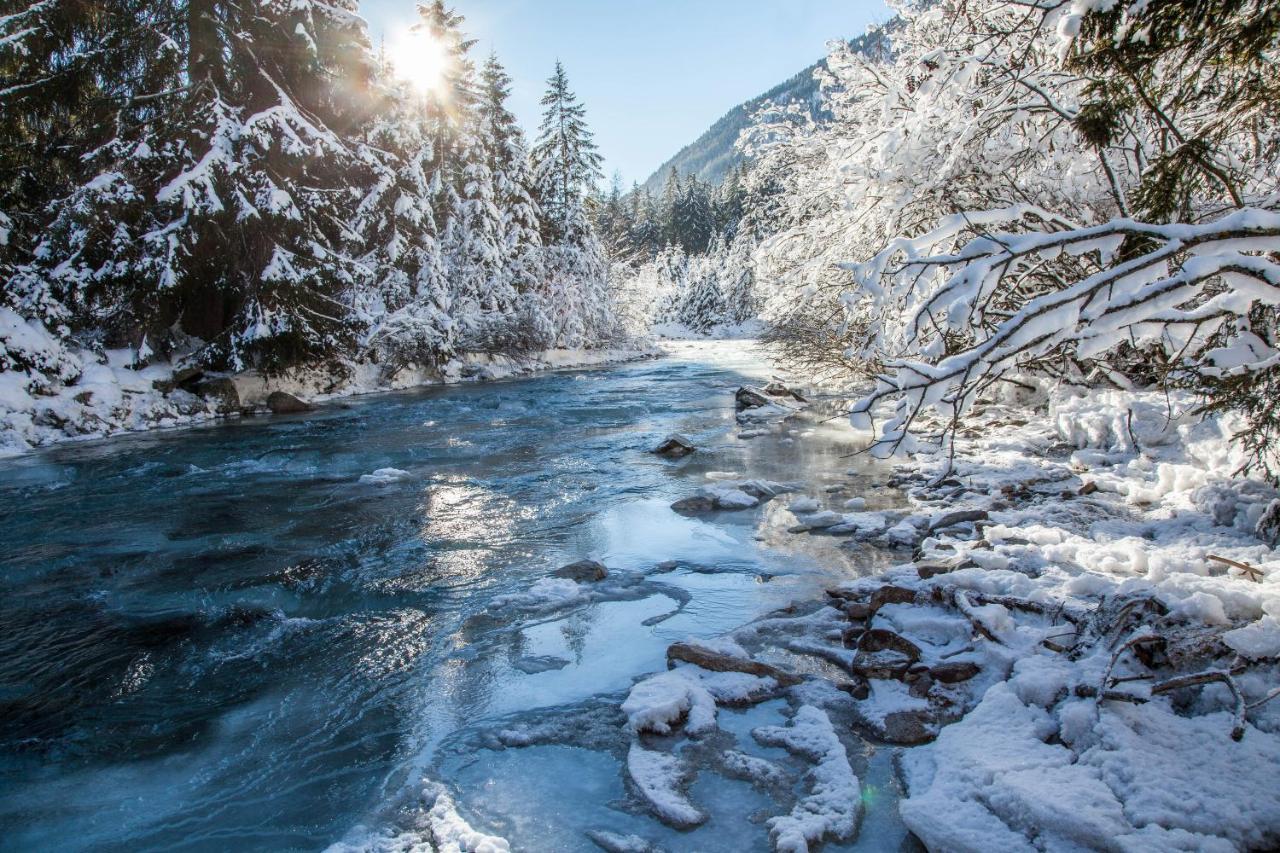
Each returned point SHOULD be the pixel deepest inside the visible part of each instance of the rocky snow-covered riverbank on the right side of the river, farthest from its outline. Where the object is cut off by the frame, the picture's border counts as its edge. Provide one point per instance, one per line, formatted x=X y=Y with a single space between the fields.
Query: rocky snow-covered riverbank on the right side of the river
x=1076 y=649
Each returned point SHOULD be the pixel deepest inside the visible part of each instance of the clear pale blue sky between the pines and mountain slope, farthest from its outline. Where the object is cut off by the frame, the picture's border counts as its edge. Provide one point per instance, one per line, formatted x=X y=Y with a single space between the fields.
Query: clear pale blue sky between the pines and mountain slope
x=653 y=74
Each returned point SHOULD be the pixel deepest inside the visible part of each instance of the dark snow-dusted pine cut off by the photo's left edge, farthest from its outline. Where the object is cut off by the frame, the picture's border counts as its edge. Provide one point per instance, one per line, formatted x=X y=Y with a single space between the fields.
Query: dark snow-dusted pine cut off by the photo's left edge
x=74 y=84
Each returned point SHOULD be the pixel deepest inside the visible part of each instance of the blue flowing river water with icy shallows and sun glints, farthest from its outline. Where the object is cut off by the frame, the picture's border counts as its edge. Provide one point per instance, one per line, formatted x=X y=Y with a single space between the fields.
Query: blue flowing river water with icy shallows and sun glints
x=222 y=638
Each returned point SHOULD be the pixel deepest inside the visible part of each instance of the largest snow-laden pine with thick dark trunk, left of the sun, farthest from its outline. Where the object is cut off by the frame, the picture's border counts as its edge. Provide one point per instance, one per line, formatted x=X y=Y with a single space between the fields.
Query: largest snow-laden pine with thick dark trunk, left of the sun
x=225 y=186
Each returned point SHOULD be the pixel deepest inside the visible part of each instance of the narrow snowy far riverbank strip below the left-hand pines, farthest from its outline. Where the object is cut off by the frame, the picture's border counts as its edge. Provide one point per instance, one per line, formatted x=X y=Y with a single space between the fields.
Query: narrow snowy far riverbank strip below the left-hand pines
x=111 y=398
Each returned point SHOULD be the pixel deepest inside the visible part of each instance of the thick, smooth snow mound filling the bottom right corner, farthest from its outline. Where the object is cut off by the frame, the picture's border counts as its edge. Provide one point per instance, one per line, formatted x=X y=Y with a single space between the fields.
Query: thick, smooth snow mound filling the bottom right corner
x=1150 y=781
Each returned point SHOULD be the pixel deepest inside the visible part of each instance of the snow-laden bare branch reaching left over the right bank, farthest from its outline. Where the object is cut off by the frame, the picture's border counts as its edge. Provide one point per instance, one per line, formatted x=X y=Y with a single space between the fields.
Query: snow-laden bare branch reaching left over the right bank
x=1167 y=275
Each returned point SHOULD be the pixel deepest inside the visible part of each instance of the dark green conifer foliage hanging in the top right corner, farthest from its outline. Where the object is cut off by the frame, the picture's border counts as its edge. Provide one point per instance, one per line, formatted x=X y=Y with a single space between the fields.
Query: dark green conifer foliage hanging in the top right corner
x=1197 y=72
